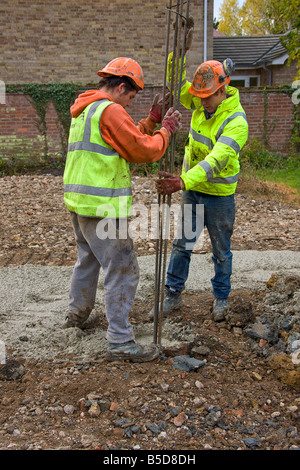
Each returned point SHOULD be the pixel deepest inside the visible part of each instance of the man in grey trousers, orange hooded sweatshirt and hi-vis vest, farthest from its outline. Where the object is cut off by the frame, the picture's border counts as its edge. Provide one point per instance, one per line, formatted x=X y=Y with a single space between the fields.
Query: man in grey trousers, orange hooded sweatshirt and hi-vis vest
x=103 y=141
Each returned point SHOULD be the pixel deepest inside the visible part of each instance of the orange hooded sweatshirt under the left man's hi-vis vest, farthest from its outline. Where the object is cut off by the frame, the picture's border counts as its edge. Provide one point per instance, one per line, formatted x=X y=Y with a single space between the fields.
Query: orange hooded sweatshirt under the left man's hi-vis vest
x=137 y=144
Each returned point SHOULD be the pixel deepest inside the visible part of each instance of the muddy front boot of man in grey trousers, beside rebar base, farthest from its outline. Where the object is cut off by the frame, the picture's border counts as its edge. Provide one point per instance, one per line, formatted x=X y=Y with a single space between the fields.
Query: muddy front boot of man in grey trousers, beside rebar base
x=132 y=352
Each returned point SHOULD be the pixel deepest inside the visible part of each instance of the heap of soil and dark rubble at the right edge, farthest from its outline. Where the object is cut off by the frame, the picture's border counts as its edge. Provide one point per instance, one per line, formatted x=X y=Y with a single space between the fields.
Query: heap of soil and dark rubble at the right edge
x=275 y=333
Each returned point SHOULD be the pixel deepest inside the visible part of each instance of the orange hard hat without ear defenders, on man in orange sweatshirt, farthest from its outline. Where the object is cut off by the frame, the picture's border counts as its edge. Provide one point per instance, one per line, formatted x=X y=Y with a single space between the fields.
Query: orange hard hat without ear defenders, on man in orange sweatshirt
x=124 y=66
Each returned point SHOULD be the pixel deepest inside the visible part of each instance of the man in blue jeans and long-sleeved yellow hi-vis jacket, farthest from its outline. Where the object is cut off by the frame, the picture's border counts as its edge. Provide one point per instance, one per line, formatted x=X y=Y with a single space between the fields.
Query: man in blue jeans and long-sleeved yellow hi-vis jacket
x=208 y=178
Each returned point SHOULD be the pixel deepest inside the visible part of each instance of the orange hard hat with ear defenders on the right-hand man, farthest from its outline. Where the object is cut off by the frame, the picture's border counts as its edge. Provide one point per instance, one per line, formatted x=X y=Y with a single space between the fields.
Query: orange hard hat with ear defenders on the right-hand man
x=210 y=76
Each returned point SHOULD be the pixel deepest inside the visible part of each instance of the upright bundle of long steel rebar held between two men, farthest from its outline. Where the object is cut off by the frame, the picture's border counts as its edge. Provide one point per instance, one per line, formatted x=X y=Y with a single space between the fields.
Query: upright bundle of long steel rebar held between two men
x=177 y=23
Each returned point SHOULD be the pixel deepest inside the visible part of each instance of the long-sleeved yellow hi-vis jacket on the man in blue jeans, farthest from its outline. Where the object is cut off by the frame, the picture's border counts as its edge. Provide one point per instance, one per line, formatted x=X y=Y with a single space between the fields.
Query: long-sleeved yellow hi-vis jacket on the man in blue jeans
x=211 y=159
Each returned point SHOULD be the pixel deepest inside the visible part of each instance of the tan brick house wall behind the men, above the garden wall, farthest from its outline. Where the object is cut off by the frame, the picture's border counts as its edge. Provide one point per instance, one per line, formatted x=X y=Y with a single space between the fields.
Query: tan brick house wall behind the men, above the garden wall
x=70 y=40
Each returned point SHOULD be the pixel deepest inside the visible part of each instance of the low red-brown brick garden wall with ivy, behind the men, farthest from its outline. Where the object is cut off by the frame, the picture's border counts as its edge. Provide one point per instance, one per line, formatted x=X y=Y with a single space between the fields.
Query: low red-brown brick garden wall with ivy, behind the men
x=18 y=131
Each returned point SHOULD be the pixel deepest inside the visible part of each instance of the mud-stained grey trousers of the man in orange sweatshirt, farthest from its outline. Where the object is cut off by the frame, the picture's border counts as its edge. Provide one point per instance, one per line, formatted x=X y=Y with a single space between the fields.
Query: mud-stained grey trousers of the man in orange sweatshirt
x=117 y=258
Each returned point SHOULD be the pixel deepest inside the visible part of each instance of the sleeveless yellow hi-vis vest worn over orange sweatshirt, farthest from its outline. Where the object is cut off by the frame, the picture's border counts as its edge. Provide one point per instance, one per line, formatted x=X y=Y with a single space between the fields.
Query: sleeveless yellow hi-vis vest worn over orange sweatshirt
x=97 y=179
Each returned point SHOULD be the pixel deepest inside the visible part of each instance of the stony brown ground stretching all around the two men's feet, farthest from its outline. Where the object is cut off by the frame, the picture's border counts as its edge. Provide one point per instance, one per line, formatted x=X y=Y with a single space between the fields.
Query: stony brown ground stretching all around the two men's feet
x=215 y=386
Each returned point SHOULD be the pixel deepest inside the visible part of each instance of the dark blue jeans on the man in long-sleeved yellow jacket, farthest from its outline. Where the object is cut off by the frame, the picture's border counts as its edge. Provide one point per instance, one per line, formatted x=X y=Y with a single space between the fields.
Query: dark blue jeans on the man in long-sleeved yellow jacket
x=217 y=215
